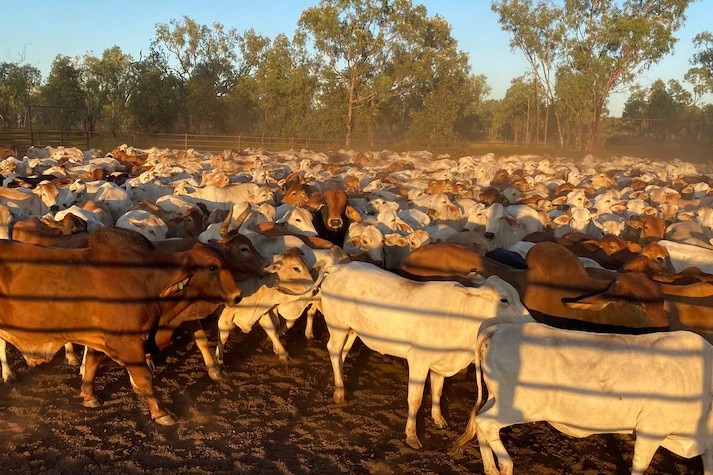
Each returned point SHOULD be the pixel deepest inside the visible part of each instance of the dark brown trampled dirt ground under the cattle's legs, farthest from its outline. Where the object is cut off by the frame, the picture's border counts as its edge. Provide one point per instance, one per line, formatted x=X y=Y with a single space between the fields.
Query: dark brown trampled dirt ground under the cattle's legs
x=269 y=417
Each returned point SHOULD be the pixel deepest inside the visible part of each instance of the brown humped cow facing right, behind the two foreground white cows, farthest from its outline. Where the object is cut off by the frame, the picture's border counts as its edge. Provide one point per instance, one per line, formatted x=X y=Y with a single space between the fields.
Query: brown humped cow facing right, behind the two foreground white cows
x=554 y=274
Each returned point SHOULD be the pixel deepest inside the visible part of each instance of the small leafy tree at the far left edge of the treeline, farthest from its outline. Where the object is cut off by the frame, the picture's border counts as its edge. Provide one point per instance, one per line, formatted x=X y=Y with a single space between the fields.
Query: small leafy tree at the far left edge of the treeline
x=19 y=84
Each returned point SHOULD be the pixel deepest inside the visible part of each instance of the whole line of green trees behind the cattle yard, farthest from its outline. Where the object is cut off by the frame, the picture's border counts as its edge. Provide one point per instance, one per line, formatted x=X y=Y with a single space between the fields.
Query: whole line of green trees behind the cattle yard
x=377 y=71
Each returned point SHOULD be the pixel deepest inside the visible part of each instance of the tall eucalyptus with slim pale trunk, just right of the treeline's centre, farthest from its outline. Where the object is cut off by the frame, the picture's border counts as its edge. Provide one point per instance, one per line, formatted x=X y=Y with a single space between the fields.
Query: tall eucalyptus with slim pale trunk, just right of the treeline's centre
x=375 y=52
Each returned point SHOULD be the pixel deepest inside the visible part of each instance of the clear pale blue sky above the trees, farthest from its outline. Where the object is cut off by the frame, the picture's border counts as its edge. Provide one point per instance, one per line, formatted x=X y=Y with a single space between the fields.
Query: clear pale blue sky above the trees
x=45 y=28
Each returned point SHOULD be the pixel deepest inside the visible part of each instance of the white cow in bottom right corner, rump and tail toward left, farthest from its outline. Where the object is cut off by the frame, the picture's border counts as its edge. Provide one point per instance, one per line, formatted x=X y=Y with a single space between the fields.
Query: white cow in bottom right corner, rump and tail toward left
x=657 y=386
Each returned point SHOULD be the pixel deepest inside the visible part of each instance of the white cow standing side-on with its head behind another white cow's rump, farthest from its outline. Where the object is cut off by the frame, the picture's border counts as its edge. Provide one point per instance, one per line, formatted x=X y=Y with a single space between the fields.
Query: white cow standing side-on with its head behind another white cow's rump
x=434 y=325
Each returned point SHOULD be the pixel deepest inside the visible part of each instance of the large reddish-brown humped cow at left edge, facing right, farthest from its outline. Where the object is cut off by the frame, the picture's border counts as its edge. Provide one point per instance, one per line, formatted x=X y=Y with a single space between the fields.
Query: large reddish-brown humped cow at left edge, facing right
x=119 y=297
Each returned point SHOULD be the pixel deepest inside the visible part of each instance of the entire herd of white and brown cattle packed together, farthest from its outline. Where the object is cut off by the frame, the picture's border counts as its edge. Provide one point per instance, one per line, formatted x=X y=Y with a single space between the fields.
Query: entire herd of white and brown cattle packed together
x=580 y=289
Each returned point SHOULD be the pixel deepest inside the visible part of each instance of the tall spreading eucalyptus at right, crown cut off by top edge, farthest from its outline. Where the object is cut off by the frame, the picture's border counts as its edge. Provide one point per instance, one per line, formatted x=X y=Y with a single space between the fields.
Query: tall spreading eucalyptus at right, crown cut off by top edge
x=600 y=45
